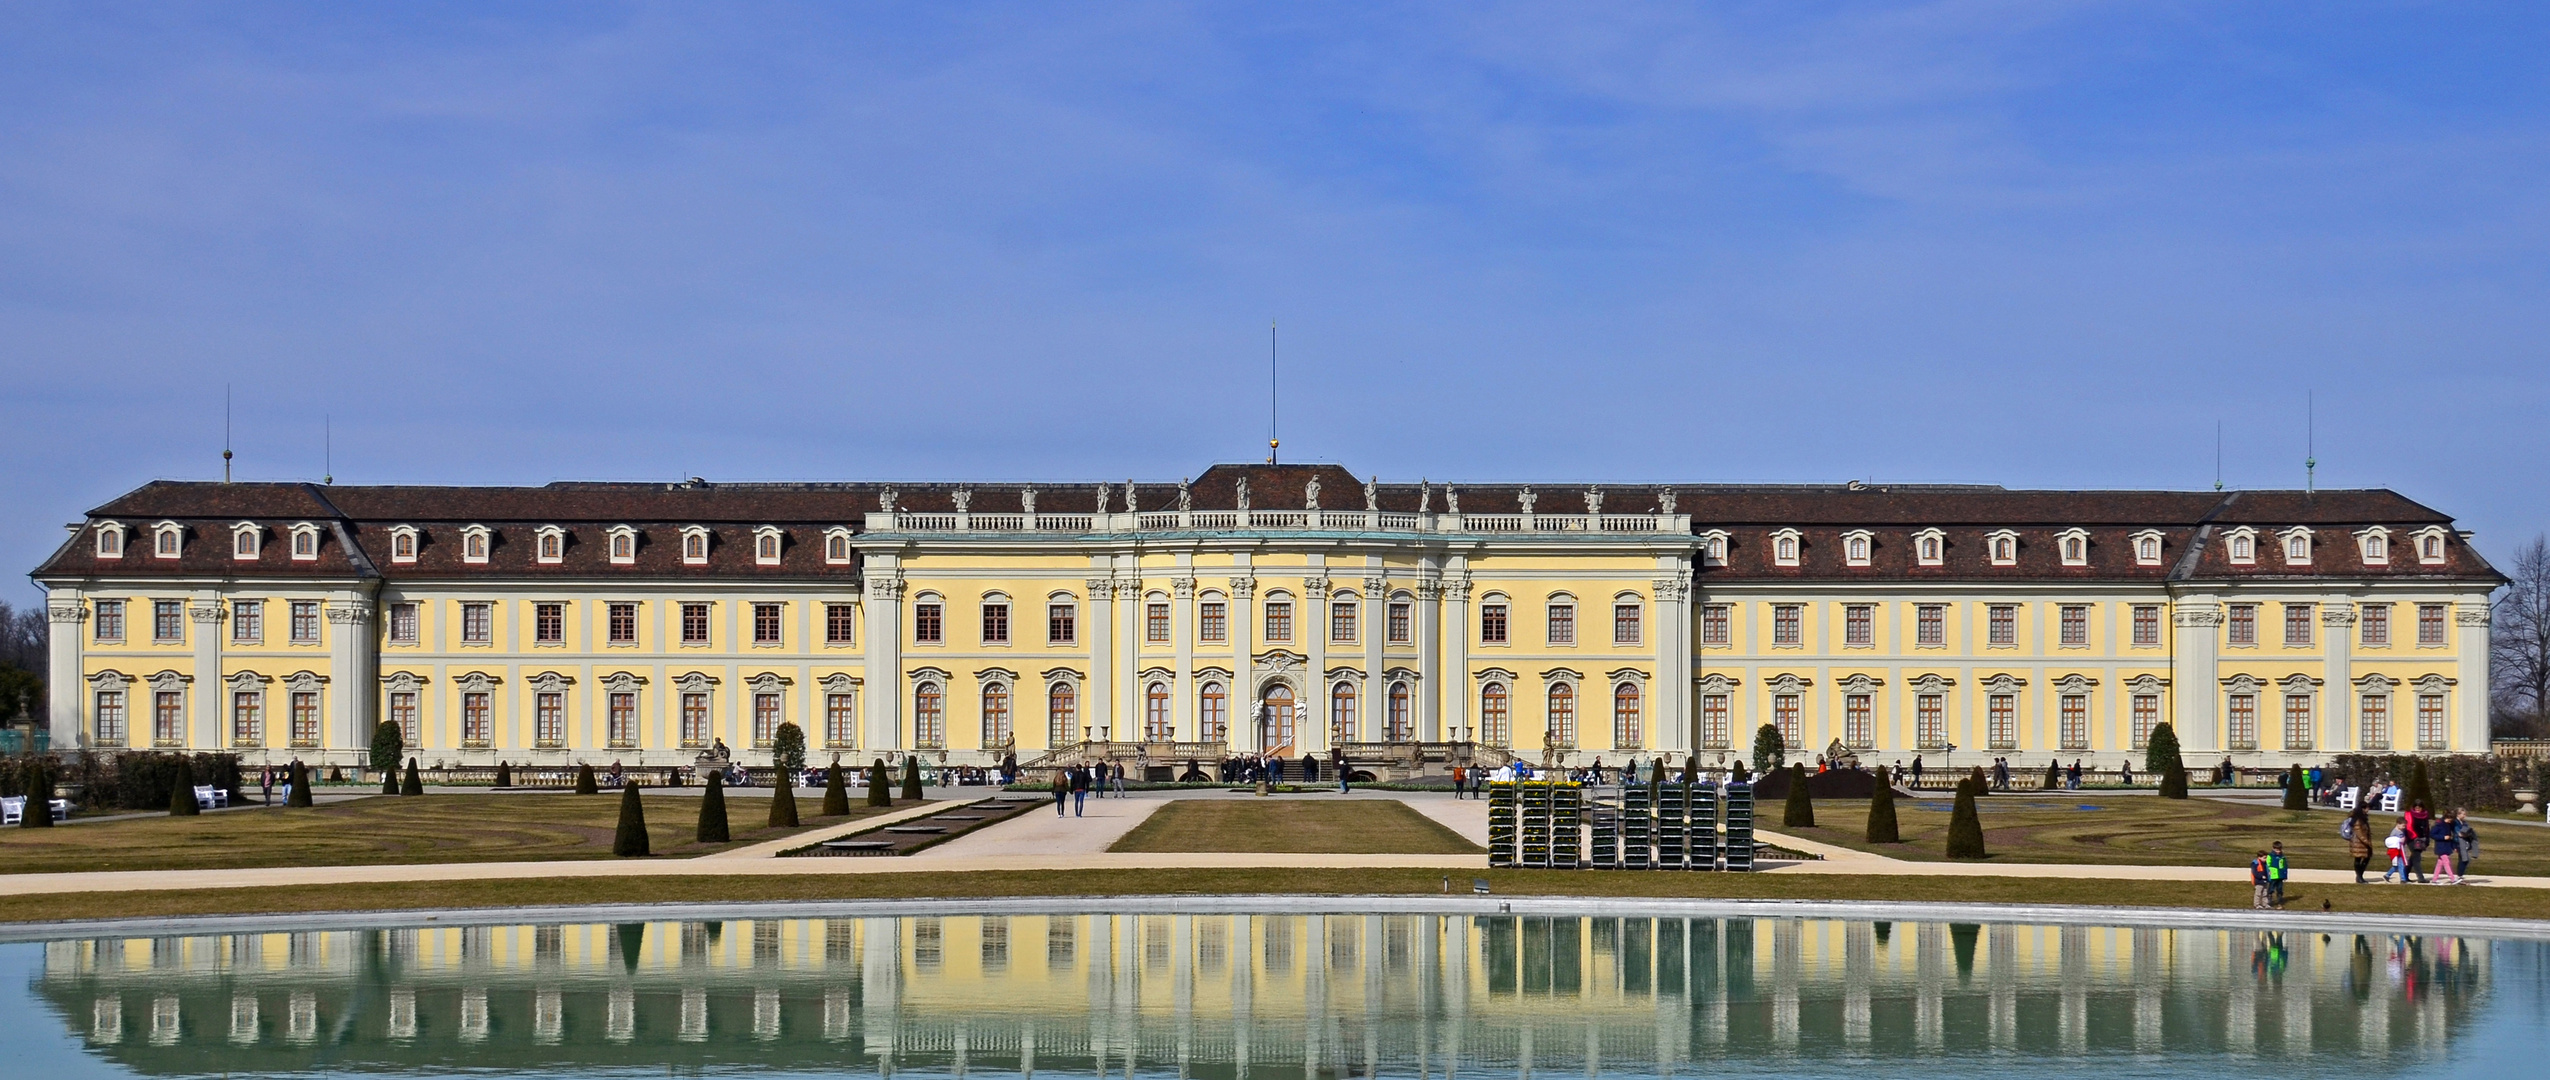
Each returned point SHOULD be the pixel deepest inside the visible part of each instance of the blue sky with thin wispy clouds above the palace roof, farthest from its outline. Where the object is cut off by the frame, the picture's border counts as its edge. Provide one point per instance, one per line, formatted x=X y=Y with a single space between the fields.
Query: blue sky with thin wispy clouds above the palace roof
x=2011 y=243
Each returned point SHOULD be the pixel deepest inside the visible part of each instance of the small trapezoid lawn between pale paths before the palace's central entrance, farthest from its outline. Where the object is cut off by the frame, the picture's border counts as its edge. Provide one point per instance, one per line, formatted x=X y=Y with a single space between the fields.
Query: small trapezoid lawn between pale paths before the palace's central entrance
x=1350 y=827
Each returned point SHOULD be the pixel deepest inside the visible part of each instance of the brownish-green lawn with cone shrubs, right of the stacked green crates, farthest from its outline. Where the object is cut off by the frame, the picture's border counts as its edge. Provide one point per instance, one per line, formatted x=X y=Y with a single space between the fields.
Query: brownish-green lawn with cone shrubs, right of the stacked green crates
x=2146 y=832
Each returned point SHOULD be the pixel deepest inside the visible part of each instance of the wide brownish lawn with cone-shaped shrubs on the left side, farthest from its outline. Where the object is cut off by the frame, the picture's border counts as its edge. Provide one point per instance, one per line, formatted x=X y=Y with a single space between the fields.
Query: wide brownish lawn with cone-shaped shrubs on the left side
x=419 y=829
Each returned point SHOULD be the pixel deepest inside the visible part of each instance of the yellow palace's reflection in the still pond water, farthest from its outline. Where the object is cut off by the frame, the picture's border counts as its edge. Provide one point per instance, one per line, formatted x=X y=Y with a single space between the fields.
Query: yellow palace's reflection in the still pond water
x=1225 y=995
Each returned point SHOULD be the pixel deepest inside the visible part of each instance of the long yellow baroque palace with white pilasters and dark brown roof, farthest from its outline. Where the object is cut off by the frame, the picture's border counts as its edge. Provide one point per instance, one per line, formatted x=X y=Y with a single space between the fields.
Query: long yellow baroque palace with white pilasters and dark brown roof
x=1284 y=610
